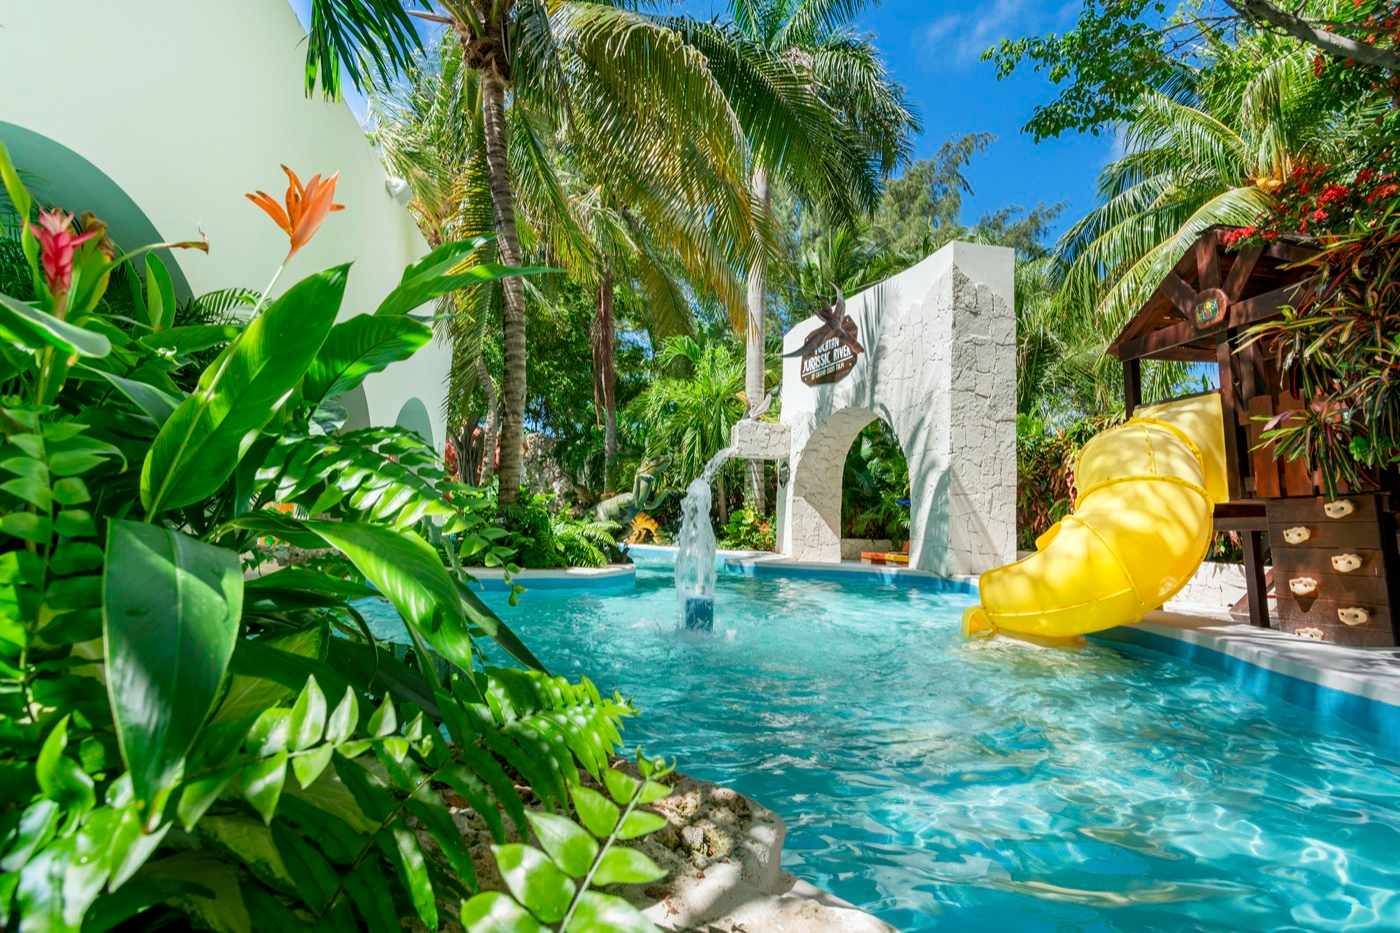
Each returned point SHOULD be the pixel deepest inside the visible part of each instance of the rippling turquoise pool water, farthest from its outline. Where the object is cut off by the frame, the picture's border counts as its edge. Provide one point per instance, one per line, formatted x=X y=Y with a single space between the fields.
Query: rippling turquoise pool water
x=993 y=787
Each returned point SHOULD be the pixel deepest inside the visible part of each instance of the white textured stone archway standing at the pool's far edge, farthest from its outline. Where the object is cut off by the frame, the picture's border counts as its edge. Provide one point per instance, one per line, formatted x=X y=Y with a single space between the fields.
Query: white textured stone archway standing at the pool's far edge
x=940 y=371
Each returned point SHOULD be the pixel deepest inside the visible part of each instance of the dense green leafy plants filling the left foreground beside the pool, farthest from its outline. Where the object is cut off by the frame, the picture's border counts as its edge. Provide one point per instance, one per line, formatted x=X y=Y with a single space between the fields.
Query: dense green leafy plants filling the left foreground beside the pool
x=194 y=739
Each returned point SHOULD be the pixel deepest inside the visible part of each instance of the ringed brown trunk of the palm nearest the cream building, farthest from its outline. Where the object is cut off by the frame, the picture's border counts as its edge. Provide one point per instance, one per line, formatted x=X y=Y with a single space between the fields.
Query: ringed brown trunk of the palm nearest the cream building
x=513 y=309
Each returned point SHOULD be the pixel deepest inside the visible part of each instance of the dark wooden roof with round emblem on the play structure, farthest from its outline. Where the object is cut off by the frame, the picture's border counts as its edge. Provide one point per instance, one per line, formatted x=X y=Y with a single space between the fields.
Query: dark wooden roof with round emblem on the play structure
x=1210 y=291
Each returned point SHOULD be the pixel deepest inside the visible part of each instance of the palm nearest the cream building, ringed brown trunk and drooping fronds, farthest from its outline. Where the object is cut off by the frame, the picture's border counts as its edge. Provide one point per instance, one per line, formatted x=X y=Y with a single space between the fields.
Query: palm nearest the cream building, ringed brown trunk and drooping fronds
x=625 y=83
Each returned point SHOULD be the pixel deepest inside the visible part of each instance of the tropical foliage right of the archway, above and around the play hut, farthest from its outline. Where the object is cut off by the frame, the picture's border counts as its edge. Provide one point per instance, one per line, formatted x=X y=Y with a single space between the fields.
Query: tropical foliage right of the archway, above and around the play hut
x=1235 y=120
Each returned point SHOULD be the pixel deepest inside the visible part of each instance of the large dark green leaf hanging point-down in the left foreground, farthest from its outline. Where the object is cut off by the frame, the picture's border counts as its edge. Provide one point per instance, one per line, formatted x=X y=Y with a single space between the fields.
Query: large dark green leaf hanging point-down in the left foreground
x=170 y=618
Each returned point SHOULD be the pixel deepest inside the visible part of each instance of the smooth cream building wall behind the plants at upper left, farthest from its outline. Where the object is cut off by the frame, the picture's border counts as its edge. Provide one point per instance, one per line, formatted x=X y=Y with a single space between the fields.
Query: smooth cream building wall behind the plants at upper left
x=188 y=104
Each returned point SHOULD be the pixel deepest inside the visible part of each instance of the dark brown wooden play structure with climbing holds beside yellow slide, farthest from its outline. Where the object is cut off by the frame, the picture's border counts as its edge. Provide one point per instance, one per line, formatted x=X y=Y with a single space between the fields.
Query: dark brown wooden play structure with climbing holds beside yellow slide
x=1336 y=565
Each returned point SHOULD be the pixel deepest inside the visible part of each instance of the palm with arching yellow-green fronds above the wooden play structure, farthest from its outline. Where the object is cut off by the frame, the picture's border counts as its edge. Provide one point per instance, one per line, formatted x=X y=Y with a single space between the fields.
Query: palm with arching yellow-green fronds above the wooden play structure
x=1212 y=151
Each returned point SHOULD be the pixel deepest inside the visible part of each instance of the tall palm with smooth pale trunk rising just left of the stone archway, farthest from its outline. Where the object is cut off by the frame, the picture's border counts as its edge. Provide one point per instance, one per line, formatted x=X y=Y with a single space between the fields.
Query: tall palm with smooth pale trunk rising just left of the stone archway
x=829 y=146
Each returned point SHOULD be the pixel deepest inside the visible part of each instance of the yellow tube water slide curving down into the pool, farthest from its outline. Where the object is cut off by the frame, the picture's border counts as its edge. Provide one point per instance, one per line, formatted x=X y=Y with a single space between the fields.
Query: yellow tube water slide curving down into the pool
x=1142 y=526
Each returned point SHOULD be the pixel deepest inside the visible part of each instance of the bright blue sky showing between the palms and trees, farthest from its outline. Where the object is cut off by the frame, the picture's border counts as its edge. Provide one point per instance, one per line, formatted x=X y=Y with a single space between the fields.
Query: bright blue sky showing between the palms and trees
x=933 y=48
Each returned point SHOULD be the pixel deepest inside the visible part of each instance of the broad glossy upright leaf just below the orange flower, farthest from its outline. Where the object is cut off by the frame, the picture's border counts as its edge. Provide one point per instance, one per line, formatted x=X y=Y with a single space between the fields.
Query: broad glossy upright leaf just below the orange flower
x=206 y=438
